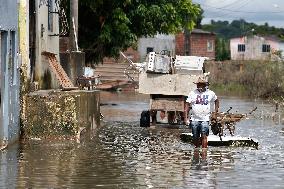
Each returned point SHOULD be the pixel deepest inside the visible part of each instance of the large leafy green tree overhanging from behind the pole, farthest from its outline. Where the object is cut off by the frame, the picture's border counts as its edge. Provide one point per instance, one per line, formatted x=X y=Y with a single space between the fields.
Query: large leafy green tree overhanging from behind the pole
x=107 y=26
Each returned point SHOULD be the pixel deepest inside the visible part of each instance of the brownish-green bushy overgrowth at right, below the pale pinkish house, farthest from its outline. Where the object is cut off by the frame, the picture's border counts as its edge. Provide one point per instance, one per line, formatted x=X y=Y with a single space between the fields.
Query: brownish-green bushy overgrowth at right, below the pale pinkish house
x=252 y=78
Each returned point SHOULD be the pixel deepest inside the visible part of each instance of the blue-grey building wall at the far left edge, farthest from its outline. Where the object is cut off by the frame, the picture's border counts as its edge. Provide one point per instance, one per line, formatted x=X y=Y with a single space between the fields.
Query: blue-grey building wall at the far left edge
x=10 y=60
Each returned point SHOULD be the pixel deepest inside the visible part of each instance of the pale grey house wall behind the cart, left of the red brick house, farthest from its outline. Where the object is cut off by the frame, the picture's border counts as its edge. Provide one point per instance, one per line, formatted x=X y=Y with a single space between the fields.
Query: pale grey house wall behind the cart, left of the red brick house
x=158 y=43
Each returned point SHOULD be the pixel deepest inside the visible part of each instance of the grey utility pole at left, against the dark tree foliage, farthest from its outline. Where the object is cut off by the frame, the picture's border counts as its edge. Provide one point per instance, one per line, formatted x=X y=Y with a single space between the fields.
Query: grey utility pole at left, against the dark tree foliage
x=73 y=25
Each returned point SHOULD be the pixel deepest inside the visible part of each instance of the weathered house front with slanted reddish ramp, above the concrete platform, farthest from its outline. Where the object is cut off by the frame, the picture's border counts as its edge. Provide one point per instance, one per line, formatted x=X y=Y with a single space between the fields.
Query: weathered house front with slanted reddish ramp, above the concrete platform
x=46 y=69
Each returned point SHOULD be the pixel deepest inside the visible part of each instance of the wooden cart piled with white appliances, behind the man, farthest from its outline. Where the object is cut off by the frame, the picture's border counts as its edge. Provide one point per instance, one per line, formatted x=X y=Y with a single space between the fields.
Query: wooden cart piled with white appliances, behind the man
x=168 y=80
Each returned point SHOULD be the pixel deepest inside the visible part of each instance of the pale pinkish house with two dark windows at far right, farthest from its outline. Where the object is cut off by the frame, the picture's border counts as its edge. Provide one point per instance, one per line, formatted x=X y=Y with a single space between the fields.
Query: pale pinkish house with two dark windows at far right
x=255 y=48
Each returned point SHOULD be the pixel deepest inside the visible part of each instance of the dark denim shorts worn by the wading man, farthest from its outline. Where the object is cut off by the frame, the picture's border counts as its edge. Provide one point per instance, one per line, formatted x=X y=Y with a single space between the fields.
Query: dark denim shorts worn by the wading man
x=199 y=128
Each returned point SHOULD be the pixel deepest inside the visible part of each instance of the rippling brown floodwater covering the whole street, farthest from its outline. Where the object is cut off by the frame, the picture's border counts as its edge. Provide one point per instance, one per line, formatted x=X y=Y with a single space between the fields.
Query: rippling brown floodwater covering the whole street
x=120 y=154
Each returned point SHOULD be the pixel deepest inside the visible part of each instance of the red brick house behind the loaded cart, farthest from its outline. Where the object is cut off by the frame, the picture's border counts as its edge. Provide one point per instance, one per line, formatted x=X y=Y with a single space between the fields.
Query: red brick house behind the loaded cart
x=198 y=43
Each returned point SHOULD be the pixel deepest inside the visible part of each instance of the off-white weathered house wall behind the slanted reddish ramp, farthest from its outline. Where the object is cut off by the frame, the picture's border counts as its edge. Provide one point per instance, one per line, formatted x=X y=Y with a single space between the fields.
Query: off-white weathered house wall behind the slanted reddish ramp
x=47 y=39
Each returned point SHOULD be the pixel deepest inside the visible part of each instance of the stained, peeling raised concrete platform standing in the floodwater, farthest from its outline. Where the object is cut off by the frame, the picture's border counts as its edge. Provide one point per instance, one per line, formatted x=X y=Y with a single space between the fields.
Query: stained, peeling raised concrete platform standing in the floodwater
x=52 y=114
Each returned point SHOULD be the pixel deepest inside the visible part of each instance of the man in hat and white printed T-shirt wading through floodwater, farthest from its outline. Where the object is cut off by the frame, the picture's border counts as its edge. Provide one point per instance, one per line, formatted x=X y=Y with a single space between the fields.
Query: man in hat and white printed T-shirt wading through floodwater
x=199 y=103
